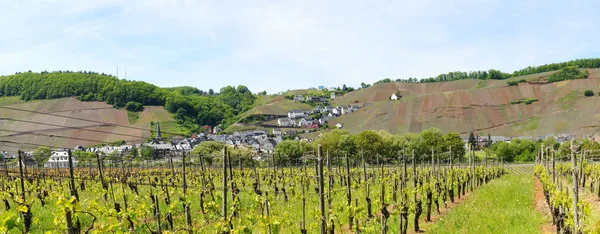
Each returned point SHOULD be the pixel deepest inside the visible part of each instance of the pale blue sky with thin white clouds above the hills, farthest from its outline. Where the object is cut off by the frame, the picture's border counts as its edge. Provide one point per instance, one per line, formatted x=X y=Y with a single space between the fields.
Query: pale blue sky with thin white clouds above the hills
x=280 y=45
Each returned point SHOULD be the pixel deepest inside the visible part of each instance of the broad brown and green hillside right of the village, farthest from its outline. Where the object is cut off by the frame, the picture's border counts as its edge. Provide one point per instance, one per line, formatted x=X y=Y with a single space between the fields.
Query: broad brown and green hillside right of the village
x=479 y=105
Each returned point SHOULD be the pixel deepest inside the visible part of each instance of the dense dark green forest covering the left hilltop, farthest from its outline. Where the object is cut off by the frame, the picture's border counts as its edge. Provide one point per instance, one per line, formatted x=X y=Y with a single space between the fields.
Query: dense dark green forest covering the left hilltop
x=191 y=107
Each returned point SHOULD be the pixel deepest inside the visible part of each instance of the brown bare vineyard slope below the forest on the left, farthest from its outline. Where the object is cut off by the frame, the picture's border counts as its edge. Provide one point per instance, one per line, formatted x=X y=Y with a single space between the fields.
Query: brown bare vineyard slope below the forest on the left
x=37 y=128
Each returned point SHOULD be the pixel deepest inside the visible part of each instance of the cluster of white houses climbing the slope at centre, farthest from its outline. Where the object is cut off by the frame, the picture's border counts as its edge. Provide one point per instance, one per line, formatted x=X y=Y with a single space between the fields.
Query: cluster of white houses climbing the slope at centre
x=301 y=118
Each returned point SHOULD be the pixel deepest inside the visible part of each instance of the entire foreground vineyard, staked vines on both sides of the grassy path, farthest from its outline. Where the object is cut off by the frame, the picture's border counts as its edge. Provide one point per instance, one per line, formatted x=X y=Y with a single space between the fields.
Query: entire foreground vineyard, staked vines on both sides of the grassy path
x=226 y=193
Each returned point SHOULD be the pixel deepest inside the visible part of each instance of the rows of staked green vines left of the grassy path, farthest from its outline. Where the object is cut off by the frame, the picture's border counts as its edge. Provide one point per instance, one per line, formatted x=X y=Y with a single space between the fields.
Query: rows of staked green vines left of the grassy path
x=220 y=194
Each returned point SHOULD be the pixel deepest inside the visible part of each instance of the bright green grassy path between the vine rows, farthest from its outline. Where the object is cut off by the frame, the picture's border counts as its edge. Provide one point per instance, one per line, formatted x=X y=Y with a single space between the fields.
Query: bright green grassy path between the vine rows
x=502 y=206
